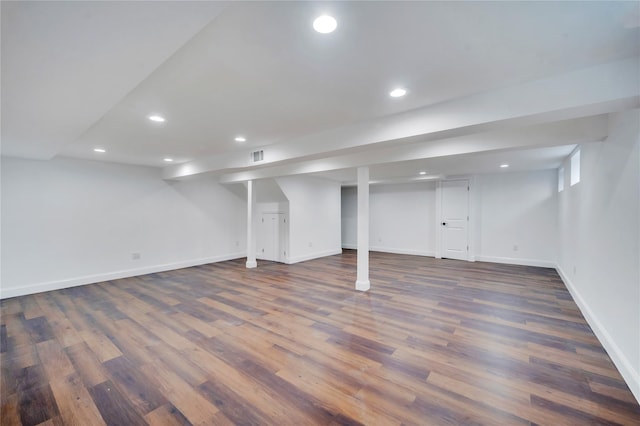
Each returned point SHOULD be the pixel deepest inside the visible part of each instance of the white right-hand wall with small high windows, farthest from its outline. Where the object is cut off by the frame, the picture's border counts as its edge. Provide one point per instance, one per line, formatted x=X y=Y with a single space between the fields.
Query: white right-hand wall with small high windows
x=599 y=250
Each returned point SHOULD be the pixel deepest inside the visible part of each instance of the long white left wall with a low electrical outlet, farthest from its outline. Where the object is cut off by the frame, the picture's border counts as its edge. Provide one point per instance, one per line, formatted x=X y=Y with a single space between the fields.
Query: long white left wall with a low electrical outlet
x=69 y=222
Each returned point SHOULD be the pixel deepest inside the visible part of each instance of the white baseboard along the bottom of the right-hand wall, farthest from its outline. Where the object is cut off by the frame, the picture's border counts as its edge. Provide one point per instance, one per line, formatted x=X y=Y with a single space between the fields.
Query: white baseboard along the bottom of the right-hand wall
x=624 y=365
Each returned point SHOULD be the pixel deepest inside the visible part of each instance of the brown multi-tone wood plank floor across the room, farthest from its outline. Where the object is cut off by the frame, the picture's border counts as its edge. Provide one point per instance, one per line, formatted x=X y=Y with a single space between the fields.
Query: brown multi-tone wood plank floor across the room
x=434 y=342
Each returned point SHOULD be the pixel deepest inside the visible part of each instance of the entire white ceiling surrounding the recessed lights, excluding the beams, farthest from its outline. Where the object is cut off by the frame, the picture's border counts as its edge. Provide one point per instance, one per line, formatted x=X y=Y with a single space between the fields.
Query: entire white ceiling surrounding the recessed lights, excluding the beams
x=78 y=75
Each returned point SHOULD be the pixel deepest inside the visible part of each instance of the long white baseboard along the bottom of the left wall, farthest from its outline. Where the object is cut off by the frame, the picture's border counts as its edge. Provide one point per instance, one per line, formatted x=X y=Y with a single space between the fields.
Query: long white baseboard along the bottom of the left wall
x=6 y=293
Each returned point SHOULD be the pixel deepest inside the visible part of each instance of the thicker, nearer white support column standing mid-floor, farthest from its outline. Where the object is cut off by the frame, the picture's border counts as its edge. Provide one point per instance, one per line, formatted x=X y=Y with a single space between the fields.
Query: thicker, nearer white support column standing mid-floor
x=362 y=279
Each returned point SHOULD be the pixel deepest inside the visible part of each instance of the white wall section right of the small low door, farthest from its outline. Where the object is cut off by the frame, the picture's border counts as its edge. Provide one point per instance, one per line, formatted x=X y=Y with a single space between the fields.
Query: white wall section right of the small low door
x=314 y=217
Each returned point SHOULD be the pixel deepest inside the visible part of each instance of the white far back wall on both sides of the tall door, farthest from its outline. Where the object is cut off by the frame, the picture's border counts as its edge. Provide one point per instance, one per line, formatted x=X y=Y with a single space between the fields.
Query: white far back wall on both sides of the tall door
x=511 y=208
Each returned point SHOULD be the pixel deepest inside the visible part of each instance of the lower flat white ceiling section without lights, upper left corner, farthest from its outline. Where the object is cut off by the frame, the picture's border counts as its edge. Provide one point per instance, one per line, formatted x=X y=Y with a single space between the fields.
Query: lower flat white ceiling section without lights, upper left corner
x=66 y=64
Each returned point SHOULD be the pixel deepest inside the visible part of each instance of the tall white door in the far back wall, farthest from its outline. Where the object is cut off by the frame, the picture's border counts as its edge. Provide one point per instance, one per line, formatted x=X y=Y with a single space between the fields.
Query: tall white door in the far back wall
x=455 y=219
